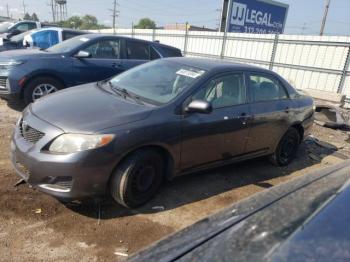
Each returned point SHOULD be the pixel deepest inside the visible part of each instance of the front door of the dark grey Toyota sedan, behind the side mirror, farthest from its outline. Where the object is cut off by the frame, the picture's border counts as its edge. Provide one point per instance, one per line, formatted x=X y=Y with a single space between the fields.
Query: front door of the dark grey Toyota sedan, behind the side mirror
x=222 y=134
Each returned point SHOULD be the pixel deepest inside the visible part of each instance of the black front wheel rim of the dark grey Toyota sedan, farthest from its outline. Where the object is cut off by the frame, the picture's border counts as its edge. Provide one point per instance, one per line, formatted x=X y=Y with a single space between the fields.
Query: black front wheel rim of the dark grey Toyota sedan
x=144 y=178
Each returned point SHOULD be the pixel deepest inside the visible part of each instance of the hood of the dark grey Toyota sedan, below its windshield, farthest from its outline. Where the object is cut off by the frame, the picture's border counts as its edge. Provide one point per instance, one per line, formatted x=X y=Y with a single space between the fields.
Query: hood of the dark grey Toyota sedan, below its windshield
x=87 y=109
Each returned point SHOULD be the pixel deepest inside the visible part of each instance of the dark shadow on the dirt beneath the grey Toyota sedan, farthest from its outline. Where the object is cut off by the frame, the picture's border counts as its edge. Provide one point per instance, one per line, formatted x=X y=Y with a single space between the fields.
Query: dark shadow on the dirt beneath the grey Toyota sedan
x=203 y=185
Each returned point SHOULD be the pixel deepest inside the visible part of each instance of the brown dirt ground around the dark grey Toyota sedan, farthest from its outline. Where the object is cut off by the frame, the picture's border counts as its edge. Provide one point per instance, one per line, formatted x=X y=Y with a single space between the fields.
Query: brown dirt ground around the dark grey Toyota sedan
x=36 y=227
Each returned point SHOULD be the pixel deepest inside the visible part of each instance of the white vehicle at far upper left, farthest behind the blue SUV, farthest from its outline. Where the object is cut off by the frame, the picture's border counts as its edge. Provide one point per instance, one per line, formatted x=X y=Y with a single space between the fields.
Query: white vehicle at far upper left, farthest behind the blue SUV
x=21 y=27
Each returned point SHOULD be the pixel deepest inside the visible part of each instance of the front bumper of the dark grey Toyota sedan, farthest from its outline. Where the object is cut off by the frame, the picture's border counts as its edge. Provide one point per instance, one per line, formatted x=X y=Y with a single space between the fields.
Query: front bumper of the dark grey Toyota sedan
x=68 y=176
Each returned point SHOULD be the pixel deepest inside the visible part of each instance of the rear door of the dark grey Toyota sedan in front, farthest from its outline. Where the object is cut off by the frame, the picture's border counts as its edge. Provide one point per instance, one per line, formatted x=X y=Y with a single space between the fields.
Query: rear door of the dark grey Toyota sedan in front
x=272 y=111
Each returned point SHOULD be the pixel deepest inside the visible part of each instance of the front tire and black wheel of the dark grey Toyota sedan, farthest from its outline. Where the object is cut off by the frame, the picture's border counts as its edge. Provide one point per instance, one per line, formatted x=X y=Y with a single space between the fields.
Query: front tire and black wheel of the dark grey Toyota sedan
x=137 y=178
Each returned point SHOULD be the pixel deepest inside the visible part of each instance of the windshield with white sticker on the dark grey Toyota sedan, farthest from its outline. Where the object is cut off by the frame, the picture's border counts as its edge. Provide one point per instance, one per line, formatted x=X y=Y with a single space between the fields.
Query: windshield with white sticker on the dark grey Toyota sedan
x=157 y=82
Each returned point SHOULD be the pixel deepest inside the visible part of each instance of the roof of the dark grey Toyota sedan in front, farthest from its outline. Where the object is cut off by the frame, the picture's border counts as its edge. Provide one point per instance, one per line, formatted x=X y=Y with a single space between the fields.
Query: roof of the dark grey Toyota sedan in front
x=213 y=64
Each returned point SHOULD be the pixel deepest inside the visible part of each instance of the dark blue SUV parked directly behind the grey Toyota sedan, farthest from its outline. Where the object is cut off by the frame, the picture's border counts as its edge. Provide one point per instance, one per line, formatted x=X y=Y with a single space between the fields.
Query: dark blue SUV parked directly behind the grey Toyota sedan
x=31 y=74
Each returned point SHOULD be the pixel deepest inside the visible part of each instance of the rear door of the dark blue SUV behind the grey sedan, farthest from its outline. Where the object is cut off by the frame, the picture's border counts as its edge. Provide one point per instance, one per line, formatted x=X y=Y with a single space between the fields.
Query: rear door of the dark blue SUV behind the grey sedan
x=135 y=53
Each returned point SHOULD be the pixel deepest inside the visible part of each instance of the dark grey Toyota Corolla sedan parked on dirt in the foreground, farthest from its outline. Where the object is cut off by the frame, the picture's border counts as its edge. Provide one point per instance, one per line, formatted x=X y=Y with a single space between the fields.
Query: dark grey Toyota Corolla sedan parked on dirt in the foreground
x=169 y=117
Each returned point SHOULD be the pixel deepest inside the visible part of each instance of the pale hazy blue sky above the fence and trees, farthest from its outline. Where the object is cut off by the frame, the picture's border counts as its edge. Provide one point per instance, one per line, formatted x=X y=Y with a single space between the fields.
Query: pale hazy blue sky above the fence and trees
x=304 y=15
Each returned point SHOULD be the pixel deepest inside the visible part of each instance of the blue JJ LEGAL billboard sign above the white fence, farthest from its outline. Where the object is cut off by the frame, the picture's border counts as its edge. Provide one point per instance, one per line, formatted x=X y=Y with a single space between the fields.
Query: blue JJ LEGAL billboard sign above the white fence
x=256 y=16
